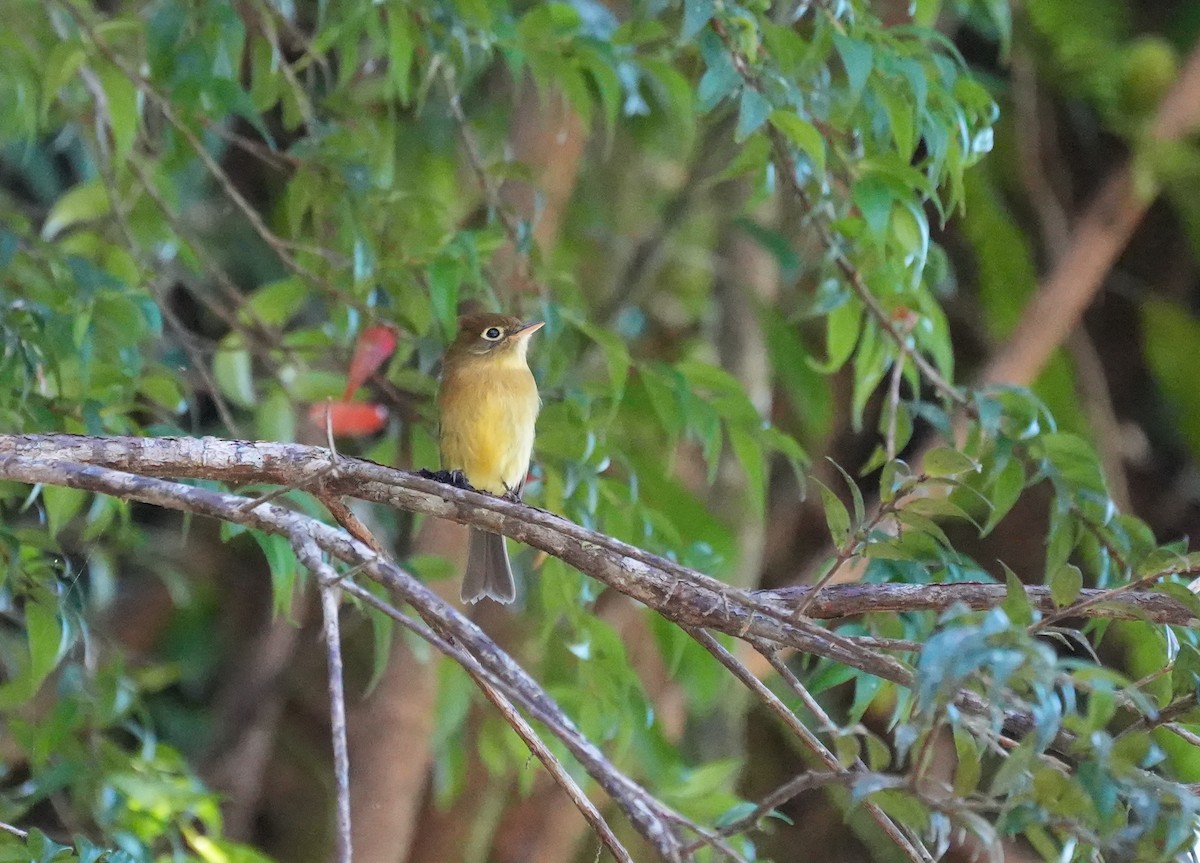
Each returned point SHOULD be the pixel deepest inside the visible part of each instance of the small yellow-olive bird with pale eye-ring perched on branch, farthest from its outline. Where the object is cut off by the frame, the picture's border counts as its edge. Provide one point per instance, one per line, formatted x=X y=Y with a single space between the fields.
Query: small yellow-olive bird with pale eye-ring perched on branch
x=488 y=406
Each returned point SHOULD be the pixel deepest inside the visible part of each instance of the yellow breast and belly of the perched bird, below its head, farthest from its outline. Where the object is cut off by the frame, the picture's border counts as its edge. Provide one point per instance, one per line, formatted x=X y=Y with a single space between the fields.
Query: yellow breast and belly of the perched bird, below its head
x=488 y=424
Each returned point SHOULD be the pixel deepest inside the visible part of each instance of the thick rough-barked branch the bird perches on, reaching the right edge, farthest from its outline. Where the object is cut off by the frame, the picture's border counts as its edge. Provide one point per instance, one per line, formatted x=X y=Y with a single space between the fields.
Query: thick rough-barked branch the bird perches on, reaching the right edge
x=703 y=602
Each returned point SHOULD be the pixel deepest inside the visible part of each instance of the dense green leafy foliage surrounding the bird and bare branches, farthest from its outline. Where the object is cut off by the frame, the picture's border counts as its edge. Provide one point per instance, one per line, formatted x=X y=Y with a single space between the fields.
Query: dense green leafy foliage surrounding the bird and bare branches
x=764 y=239
